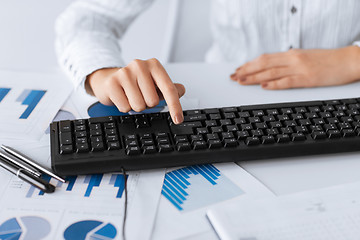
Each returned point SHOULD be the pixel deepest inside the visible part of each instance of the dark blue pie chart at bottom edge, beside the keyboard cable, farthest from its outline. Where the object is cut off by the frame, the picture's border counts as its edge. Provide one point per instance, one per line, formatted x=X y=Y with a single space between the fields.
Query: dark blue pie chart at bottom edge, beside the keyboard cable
x=90 y=230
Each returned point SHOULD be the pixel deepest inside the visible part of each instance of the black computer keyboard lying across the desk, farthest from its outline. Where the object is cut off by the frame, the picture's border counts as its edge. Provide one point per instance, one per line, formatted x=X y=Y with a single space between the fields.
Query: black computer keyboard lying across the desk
x=229 y=134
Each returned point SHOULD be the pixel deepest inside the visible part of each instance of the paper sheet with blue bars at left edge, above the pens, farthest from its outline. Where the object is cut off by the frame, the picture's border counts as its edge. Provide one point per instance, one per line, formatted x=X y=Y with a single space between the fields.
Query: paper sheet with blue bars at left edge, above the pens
x=29 y=101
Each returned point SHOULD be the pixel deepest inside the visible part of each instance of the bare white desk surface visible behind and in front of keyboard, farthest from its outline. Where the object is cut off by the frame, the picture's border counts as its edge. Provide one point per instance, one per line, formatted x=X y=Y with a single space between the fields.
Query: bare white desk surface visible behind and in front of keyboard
x=210 y=84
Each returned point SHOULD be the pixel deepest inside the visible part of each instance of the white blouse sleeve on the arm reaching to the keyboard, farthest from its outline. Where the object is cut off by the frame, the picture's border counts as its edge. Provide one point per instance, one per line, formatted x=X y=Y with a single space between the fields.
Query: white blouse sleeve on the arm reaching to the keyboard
x=88 y=34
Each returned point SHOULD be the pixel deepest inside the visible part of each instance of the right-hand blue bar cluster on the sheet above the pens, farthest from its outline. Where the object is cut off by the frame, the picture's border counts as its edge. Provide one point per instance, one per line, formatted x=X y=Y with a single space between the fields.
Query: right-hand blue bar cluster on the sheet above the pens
x=30 y=98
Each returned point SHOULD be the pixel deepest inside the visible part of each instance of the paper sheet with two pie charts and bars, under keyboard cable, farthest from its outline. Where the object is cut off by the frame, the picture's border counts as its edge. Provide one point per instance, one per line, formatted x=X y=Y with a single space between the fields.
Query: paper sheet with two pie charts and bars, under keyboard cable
x=91 y=205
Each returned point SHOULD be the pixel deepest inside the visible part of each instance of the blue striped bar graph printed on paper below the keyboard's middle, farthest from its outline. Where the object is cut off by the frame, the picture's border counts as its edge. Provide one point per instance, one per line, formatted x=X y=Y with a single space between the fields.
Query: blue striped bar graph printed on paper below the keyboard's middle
x=198 y=186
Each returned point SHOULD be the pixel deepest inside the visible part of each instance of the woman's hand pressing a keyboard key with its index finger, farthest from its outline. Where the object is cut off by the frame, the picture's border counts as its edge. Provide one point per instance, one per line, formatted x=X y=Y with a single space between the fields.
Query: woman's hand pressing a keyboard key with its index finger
x=139 y=85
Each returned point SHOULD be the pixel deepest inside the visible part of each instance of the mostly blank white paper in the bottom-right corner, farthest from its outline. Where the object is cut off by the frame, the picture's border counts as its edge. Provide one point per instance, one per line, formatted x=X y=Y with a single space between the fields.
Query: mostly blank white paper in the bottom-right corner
x=329 y=214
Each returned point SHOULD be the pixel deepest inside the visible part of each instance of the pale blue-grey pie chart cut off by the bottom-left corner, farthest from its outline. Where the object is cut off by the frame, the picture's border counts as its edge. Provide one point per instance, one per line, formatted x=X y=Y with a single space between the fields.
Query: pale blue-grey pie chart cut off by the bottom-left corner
x=28 y=228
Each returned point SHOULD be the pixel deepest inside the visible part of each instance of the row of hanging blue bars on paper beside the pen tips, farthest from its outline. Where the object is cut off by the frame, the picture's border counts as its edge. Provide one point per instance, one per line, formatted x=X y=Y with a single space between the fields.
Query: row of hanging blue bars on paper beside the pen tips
x=86 y=186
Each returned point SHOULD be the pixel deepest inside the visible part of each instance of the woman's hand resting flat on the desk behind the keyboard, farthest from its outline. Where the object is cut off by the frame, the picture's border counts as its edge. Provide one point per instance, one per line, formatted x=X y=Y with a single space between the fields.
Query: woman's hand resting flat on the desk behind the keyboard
x=301 y=68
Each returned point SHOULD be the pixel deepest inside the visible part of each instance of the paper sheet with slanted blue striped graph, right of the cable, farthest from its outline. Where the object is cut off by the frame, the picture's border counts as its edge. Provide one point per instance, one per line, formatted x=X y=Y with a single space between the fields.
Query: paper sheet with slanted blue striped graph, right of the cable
x=188 y=192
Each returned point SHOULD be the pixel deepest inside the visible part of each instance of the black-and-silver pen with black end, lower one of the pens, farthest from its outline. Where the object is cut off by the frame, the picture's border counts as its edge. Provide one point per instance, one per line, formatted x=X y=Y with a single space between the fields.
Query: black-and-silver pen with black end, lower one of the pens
x=27 y=177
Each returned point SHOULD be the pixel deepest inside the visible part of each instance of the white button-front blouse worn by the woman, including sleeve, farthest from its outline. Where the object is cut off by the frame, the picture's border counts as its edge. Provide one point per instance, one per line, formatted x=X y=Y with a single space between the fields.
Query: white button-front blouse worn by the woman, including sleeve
x=88 y=32
